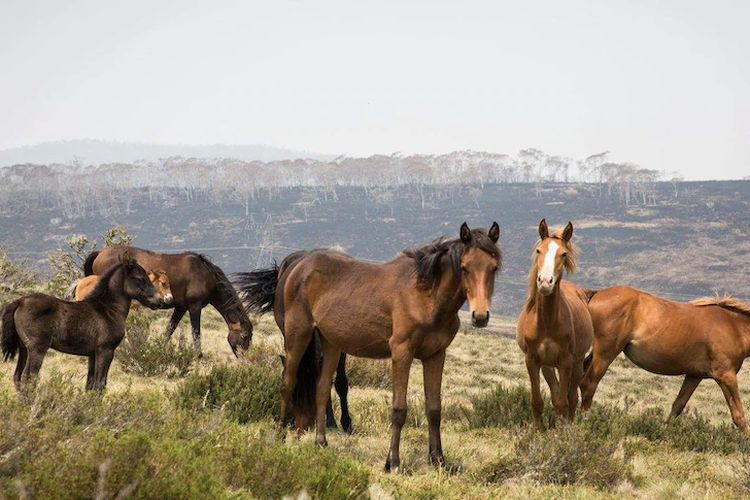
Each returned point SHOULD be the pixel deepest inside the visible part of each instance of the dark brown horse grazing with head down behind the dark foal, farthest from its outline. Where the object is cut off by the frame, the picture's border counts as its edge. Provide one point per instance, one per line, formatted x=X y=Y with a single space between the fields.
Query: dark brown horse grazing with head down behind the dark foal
x=195 y=282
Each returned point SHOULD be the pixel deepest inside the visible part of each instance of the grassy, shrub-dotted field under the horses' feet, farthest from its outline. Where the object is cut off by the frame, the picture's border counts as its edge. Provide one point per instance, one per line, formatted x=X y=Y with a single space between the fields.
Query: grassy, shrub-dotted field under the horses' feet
x=158 y=436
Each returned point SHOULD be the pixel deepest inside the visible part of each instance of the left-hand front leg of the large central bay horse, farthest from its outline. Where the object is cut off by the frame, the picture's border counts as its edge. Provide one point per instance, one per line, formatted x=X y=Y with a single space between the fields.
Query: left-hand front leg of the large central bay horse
x=401 y=359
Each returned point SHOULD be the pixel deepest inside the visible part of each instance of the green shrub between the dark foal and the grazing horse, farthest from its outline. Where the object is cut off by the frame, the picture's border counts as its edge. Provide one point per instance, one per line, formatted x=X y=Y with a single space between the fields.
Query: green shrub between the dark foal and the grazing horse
x=146 y=354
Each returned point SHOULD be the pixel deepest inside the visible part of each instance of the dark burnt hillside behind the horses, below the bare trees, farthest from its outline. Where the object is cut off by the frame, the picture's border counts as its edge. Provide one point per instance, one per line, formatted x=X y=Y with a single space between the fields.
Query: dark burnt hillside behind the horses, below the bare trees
x=689 y=240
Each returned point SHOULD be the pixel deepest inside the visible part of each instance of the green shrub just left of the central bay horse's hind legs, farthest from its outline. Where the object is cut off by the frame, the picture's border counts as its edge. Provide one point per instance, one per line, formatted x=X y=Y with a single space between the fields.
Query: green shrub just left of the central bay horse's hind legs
x=246 y=392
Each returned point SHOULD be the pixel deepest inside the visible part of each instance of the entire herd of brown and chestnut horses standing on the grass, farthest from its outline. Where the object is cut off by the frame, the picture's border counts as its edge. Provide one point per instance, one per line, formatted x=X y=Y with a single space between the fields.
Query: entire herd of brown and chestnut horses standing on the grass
x=328 y=304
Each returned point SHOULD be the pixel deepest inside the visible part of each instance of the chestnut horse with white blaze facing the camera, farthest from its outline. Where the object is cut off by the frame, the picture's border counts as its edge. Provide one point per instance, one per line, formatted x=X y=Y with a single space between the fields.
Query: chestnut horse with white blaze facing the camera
x=554 y=329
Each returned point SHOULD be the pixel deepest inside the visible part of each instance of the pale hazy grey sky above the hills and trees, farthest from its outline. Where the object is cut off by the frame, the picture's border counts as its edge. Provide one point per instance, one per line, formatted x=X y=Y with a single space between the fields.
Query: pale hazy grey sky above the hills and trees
x=666 y=86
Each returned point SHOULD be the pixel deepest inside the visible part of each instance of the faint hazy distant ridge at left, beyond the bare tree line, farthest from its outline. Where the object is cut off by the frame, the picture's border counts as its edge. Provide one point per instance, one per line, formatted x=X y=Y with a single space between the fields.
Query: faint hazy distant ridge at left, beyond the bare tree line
x=96 y=152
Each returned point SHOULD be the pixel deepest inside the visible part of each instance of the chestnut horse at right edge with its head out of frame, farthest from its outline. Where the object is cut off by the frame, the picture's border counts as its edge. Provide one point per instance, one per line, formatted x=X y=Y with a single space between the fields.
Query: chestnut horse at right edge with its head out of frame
x=707 y=338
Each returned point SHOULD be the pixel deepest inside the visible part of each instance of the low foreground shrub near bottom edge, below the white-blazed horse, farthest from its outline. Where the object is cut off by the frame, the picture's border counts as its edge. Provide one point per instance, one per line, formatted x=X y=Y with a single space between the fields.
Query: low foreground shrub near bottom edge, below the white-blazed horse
x=568 y=454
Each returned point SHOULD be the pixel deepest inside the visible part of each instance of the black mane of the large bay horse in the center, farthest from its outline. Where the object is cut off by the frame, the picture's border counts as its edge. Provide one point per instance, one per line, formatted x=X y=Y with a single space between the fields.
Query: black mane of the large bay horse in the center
x=428 y=259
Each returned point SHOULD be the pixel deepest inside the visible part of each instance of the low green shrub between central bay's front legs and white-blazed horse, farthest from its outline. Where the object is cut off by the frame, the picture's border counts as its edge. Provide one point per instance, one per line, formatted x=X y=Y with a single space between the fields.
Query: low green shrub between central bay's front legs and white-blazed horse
x=506 y=407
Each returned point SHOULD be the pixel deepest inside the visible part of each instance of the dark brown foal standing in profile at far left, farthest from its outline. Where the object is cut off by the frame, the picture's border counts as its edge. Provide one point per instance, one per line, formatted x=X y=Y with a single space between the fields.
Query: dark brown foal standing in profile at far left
x=93 y=327
